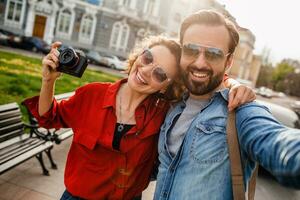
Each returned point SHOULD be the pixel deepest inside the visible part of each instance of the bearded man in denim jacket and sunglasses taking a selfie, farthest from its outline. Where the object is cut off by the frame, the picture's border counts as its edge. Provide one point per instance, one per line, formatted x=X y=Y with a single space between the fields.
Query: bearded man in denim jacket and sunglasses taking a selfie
x=193 y=152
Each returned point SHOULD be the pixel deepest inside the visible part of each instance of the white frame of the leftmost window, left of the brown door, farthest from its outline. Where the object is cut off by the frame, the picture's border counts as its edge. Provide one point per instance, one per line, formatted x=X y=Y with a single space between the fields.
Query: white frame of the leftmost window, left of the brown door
x=14 y=23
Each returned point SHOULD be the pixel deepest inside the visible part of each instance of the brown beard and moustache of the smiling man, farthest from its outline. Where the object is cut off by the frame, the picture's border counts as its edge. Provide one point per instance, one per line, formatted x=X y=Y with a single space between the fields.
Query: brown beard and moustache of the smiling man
x=205 y=87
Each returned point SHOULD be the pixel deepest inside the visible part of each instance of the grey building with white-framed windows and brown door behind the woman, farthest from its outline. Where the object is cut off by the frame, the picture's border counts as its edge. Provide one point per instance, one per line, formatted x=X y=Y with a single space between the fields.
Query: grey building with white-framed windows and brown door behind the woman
x=113 y=26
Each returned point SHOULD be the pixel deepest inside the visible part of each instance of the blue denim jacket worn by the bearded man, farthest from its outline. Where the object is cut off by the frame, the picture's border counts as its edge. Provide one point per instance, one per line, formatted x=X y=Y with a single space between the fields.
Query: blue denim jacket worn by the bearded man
x=201 y=167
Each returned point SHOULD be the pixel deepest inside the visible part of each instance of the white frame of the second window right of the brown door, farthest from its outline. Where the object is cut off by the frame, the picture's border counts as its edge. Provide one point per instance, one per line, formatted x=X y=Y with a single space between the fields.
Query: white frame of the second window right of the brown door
x=82 y=37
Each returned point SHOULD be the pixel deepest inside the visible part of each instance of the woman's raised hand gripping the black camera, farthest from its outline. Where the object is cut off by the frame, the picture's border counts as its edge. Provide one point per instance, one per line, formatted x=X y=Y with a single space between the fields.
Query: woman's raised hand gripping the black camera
x=50 y=63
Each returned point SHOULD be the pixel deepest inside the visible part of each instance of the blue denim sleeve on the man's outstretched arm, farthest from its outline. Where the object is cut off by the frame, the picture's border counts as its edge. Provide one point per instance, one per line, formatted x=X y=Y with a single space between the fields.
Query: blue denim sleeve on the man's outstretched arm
x=264 y=140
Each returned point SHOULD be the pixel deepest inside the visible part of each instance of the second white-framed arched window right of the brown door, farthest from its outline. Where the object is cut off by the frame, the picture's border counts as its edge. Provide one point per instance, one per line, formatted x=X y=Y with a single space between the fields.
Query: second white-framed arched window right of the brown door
x=87 y=28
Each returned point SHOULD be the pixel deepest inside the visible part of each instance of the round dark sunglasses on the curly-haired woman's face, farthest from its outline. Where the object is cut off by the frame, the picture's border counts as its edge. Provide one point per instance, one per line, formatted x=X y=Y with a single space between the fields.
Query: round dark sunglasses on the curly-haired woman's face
x=157 y=74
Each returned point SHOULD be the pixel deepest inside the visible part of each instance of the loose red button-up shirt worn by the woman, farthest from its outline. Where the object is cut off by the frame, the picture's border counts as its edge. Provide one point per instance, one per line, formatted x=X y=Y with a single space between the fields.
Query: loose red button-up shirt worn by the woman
x=94 y=170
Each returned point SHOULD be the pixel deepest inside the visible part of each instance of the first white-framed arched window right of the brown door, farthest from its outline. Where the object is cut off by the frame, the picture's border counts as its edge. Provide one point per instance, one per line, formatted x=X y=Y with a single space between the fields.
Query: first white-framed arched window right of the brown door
x=65 y=23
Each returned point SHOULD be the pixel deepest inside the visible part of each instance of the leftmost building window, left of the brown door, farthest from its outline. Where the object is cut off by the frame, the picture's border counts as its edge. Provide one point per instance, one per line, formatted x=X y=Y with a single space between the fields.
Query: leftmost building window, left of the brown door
x=15 y=12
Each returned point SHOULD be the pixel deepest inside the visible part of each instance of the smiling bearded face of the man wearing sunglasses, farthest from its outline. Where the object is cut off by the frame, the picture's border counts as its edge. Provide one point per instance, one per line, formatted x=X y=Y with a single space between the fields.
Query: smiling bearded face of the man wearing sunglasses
x=204 y=57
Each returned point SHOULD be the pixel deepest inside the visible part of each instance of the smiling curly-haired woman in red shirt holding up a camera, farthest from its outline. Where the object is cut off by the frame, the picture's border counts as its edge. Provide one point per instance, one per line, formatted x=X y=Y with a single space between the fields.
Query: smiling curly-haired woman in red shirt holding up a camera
x=115 y=125
